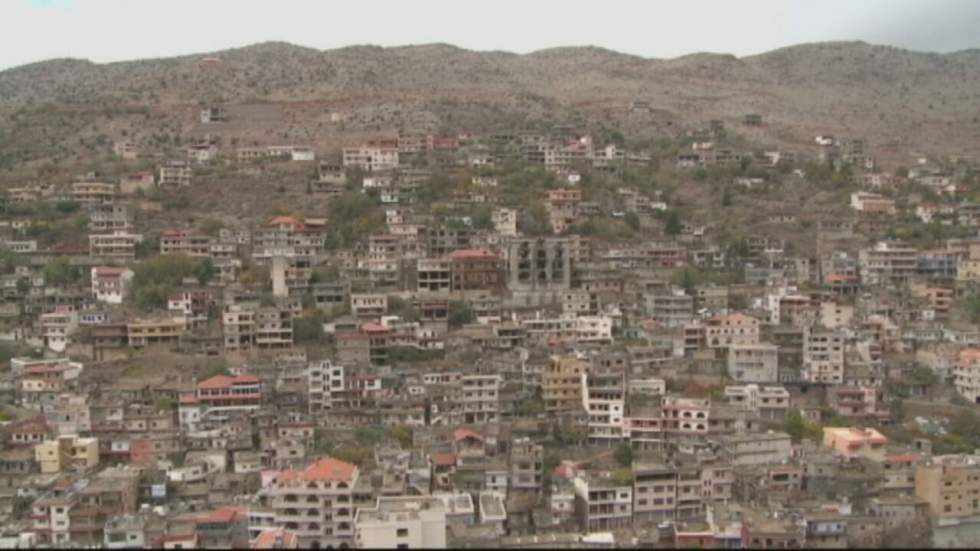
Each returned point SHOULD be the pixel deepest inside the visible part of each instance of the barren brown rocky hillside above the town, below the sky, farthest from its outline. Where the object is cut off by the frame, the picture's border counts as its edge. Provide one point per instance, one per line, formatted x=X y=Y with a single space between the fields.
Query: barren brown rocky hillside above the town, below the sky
x=903 y=102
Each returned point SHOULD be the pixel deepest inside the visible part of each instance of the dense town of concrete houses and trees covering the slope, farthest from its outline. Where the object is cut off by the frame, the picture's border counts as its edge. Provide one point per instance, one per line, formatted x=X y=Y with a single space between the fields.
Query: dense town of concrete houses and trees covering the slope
x=511 y=338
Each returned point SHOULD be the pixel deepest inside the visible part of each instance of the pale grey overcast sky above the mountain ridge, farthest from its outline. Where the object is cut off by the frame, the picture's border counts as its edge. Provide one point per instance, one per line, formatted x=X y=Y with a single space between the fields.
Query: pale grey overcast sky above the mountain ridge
x=115 y=30
